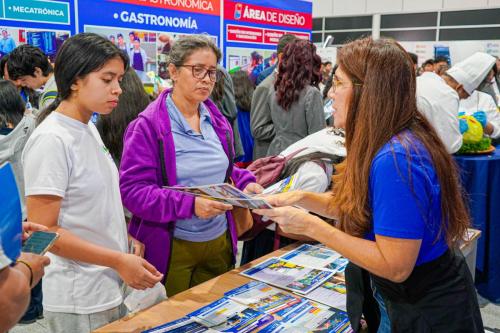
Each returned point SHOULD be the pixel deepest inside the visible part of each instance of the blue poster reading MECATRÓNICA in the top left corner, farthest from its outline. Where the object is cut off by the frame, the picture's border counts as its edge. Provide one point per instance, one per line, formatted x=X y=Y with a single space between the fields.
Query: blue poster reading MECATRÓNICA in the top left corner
x=45 y=24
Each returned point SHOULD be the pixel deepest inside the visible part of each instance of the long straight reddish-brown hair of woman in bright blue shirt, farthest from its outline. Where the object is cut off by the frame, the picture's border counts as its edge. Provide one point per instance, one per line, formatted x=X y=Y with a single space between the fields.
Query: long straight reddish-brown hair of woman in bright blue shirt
x=383 y=104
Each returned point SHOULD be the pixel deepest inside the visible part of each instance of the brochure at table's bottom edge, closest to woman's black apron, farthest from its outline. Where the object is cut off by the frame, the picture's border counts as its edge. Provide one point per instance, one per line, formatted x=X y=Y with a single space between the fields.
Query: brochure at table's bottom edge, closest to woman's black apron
x=308 y=316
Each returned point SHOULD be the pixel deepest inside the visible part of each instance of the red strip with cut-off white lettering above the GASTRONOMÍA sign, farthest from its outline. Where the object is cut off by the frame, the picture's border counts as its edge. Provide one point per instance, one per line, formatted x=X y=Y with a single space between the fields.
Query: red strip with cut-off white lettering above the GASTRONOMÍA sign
x=211 y=7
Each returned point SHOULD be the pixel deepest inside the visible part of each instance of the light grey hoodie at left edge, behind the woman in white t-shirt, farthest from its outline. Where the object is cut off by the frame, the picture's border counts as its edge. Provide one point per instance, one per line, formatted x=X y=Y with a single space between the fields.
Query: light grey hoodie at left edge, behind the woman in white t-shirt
x=11 y=148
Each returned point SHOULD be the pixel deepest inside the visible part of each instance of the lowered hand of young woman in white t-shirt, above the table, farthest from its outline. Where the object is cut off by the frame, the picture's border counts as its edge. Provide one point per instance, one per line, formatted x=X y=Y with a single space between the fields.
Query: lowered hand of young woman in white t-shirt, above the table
x=137 y=272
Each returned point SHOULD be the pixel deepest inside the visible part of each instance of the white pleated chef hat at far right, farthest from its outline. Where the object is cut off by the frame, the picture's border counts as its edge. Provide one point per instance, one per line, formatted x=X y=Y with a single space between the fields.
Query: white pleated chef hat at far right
x=472 y=71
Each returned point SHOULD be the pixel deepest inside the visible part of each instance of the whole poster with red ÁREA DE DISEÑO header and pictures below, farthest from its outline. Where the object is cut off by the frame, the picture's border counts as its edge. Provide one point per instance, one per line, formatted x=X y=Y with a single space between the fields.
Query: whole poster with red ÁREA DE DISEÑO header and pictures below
x=252 y=29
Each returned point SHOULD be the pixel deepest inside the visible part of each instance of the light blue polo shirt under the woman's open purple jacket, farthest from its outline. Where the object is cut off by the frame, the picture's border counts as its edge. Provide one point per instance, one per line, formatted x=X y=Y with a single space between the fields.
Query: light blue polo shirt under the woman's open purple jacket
x=200 y=160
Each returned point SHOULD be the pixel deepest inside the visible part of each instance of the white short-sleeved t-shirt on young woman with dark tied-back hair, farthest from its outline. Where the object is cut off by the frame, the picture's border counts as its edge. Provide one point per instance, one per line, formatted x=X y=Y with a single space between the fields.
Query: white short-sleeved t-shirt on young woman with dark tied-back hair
x=67 y=158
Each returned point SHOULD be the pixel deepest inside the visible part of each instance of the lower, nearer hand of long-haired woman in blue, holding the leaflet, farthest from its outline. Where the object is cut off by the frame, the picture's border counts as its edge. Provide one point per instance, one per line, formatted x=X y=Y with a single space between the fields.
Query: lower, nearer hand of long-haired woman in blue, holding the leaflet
x=291 y=220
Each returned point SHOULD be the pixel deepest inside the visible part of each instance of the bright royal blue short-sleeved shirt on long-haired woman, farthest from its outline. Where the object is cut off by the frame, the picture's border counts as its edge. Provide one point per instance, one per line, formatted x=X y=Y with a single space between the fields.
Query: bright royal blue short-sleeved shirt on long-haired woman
x=405 y=197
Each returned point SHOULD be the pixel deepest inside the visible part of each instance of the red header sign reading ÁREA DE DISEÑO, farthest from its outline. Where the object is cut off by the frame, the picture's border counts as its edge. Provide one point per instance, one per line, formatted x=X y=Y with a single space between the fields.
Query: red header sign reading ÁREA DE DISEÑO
x=264 y=15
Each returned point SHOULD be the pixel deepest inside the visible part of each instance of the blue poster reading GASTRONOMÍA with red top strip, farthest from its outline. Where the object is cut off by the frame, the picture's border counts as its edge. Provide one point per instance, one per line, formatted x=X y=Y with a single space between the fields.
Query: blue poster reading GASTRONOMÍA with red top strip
x=146 y=29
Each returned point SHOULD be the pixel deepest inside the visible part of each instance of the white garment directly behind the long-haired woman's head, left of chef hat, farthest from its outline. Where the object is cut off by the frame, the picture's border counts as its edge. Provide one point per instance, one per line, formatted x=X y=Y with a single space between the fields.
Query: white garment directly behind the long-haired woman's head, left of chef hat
x=438 y=102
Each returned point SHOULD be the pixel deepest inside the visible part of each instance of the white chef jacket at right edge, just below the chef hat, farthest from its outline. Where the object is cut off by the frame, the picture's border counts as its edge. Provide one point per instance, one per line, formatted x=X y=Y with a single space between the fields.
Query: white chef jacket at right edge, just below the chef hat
x=480 y=101
